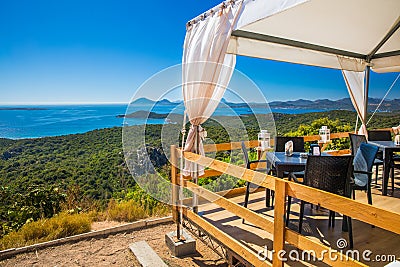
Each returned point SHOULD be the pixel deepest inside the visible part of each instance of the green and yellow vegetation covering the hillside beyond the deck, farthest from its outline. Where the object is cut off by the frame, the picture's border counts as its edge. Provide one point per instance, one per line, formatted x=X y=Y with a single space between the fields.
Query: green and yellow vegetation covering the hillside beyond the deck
x=85 y=177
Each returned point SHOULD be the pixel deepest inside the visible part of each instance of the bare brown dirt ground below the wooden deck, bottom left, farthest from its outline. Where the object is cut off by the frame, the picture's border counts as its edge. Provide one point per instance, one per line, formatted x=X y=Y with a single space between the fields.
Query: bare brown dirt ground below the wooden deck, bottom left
x=114 y=251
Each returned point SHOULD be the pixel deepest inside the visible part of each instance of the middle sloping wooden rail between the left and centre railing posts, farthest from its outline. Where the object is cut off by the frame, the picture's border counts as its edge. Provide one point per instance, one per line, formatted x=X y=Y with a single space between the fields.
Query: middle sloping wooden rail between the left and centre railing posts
x=242 y=212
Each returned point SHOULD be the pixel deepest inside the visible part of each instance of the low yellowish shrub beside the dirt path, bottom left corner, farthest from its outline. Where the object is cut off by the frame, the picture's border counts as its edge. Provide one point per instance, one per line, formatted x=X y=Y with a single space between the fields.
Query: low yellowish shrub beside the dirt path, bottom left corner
x=59 y=226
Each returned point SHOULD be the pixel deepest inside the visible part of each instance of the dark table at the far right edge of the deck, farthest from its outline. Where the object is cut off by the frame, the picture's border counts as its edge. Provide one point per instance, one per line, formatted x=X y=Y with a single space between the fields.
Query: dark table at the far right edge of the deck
x=387 y=147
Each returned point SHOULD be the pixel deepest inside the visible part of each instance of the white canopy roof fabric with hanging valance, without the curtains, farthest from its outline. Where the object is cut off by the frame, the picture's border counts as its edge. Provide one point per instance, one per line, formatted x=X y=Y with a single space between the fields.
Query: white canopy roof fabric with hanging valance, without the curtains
x=340 y=34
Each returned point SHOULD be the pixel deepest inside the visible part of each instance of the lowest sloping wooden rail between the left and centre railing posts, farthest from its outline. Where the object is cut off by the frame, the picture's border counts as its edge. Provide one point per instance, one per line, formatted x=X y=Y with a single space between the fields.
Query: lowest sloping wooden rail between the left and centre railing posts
x=227 y=240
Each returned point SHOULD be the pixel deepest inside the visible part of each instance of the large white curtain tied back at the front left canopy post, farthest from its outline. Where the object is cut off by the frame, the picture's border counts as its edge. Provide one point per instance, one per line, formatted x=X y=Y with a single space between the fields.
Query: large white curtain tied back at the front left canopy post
x=206 y=72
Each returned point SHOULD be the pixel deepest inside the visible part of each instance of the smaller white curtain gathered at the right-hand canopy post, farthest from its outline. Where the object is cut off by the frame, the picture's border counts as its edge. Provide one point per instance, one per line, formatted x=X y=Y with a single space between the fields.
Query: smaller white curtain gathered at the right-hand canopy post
x=355 y=85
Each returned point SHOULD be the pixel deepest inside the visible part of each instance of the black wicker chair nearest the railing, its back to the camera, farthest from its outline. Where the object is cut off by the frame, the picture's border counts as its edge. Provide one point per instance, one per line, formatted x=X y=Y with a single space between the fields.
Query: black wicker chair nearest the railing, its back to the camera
x=331 y=174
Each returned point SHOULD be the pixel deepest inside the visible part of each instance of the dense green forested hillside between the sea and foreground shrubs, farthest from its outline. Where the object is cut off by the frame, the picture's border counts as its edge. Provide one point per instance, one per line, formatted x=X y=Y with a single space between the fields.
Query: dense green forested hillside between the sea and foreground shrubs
x=95 y=162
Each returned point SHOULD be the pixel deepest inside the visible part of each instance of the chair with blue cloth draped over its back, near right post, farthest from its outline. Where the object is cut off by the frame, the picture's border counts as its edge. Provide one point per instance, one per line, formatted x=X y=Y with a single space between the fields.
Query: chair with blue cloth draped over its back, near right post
x=363 y=163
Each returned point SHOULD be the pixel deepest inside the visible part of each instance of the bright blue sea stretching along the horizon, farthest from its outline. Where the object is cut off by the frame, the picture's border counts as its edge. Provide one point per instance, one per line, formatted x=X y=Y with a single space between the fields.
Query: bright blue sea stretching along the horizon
x=54 y=120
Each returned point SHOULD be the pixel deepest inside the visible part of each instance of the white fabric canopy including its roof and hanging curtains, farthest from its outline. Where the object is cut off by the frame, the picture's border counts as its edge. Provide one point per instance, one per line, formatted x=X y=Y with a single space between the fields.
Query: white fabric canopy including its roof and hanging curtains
x=350 y=35
